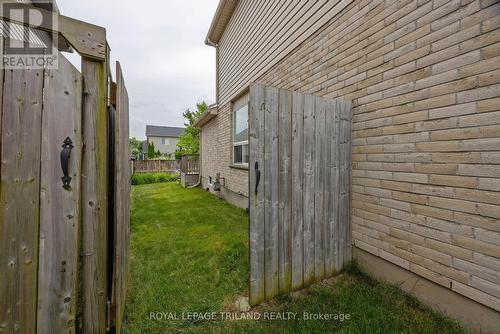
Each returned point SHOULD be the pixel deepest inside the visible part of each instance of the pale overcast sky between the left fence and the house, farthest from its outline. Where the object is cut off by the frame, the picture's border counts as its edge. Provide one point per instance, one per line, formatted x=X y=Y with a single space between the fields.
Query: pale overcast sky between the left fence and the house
x=160 y=45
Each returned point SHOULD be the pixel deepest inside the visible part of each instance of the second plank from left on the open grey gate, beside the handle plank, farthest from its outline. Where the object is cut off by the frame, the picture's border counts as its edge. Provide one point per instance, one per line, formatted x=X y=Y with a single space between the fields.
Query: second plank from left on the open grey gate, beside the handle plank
x=271 y=185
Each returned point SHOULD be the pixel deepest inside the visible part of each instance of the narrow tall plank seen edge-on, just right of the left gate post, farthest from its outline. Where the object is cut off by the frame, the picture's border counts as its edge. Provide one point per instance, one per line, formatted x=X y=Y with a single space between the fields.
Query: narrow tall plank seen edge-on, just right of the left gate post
x=122 y=202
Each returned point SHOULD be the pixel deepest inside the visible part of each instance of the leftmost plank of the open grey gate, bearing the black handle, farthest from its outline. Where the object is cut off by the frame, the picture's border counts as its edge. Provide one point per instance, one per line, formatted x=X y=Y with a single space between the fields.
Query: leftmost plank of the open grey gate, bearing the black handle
x=257 y=161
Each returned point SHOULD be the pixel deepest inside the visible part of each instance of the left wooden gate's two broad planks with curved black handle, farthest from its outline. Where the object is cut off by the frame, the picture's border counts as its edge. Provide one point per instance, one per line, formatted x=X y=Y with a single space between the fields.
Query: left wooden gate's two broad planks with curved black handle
x=40 y=214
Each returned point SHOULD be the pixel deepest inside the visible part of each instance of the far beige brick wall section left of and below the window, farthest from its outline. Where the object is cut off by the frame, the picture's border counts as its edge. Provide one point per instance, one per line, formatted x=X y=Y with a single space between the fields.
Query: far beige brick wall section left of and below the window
x=216 y=152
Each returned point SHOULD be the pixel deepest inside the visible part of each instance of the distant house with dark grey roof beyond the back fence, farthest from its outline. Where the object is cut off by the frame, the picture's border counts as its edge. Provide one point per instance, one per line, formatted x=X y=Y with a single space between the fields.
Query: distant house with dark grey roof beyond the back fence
x=164 y=138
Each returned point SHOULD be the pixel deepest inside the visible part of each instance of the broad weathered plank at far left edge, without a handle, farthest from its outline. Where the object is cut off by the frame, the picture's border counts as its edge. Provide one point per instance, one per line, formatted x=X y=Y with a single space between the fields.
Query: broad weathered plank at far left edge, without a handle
x=20 y=177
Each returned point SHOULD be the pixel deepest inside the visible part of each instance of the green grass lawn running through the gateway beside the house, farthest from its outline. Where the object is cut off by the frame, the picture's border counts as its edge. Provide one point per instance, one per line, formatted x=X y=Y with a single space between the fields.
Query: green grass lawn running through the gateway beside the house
x=190 y=254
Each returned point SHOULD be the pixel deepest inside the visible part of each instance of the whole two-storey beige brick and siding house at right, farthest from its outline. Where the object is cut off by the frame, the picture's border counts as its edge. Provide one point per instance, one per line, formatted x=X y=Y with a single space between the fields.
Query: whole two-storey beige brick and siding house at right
x=424 y=80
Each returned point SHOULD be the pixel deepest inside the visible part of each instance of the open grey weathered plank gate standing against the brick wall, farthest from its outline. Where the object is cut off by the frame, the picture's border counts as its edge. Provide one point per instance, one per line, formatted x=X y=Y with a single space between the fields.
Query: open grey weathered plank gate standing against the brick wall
x=300 y=163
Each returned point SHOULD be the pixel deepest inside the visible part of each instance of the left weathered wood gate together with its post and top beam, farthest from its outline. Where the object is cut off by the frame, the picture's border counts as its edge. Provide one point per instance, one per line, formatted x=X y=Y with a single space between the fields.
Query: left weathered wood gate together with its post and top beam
x=64 y=229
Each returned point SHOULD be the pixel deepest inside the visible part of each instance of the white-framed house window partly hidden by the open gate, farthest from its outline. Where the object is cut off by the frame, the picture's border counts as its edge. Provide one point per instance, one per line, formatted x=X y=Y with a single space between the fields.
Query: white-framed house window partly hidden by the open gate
x=240 y=135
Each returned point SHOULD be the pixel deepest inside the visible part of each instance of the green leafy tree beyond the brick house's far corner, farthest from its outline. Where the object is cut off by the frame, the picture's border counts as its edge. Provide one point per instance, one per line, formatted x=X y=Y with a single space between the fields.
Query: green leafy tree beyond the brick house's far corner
x=189 y=141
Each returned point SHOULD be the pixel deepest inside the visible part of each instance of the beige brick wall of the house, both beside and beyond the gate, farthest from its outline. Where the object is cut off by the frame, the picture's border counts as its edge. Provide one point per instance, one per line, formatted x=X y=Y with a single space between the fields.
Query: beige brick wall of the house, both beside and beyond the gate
x=424 y=78
